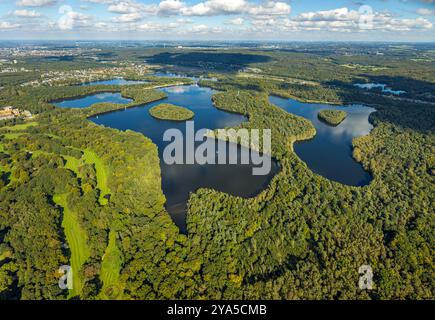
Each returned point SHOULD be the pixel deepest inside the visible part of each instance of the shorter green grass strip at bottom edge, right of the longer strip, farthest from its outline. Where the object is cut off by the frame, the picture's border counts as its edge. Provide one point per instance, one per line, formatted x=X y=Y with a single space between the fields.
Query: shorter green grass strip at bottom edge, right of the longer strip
x=111 y=269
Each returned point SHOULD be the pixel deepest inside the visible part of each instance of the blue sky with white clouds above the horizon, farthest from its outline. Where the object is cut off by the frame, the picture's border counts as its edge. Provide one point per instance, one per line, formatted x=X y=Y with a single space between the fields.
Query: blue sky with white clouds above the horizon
x=375 y=20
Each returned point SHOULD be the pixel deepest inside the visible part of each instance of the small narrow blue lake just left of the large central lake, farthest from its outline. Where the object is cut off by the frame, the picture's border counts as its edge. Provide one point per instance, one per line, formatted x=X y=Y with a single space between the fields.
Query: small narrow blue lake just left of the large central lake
x=87 y=101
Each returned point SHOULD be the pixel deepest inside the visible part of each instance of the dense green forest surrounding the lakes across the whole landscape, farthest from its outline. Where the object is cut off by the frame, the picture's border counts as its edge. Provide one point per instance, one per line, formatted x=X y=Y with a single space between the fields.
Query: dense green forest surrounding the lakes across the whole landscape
x=73 y=192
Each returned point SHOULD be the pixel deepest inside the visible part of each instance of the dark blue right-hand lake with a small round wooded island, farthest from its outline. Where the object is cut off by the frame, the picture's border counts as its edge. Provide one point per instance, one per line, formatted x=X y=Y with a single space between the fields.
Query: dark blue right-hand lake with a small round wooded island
x=329 y=153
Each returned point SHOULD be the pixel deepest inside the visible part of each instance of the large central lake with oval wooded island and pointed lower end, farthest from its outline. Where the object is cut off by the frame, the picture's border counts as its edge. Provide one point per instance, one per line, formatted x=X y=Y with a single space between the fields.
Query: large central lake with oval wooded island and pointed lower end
x=179 y=180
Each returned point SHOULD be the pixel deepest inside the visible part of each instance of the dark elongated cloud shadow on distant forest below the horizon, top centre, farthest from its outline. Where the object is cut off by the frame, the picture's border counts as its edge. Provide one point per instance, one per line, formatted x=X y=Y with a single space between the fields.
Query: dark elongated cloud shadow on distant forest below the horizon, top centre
x=208 y=60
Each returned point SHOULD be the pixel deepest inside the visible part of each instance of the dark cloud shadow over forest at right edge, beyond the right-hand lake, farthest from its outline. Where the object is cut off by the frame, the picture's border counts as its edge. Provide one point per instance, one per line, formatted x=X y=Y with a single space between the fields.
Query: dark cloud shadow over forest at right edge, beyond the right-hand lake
x=397 y=110
